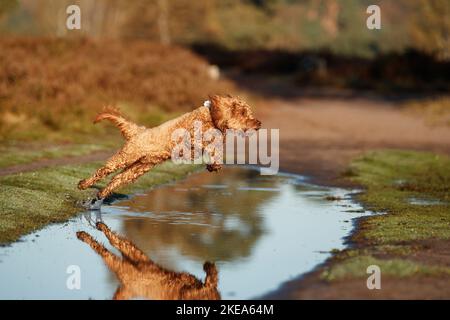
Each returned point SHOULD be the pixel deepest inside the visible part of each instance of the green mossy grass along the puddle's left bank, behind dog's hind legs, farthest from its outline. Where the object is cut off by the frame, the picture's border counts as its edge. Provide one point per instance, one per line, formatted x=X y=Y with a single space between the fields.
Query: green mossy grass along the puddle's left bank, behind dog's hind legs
x=31 y=200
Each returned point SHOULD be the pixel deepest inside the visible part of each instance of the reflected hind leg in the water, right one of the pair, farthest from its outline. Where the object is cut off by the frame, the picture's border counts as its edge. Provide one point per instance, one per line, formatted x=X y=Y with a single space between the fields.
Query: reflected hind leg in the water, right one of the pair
x=125 y=246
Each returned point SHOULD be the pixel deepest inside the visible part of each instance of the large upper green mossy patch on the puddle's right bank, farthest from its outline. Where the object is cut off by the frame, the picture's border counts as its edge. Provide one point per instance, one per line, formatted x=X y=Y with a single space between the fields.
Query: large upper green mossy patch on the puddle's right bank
x=392 y=179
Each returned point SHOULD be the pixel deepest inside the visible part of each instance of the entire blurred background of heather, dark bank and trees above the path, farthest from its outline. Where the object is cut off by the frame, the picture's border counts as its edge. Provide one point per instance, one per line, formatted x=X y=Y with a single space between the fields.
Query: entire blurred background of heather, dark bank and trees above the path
x=157 y=58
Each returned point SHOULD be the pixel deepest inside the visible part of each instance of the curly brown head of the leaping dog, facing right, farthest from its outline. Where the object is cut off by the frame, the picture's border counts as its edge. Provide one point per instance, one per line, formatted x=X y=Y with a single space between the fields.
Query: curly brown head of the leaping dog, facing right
x=232 y=113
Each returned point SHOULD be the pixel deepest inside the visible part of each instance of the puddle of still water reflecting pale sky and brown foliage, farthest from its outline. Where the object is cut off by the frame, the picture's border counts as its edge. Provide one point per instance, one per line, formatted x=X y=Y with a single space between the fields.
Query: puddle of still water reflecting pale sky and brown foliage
x=260 y=230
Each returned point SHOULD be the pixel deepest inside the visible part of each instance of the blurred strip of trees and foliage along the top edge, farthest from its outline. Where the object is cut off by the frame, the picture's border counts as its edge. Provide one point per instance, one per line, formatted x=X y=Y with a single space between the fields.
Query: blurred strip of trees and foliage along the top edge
x=335 y=25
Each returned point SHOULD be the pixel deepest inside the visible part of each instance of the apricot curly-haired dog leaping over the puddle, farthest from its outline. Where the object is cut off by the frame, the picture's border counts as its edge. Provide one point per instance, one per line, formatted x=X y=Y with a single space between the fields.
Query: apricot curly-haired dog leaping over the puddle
x=146 y=147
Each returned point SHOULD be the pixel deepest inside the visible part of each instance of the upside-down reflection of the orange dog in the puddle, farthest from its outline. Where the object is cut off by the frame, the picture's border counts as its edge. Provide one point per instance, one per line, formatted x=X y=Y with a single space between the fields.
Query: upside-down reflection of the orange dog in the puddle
x=140 y=277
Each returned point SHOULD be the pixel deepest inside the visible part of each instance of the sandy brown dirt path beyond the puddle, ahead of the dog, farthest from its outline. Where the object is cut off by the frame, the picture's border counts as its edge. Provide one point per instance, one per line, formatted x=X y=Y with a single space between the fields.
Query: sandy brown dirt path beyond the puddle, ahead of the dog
x=318 y=137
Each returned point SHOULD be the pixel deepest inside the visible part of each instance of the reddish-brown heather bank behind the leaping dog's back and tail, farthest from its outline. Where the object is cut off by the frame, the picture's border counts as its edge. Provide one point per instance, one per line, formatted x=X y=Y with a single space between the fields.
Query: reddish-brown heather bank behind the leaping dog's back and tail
x=52 y=88
